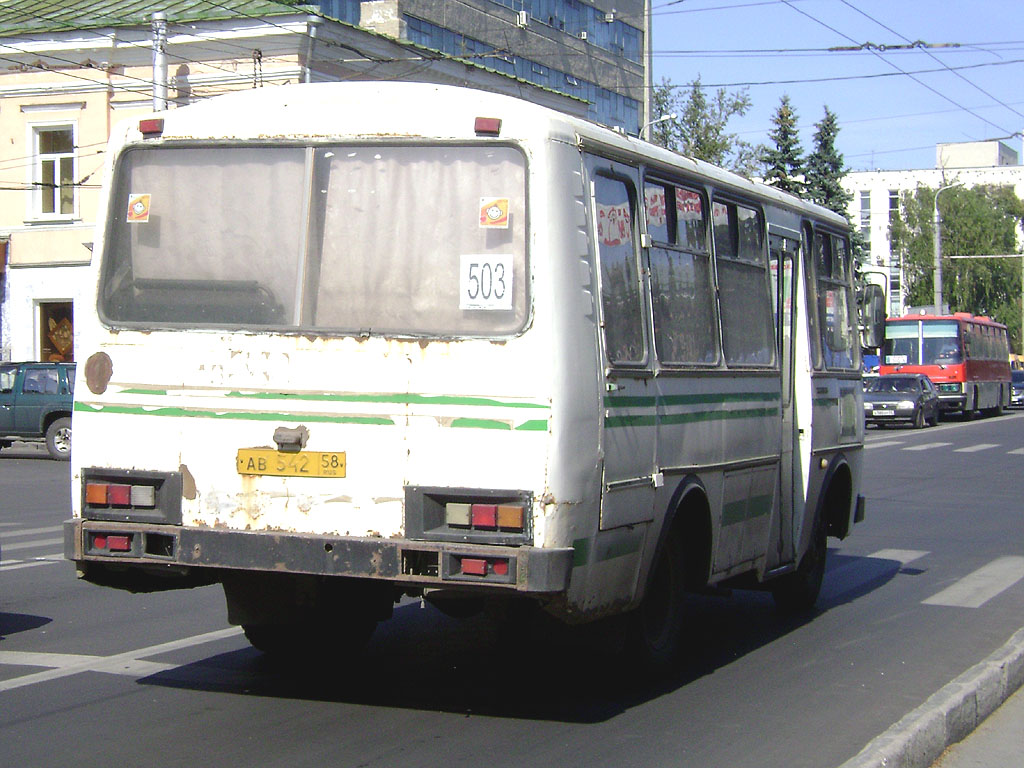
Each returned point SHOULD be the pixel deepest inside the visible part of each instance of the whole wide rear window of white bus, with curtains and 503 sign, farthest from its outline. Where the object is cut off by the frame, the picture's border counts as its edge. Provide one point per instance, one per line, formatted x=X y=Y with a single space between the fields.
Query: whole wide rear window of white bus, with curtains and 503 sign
x=369 y=240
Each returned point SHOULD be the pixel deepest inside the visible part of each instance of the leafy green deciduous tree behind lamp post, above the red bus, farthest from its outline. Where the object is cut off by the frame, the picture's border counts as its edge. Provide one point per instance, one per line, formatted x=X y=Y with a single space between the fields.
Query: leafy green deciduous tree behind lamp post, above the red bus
x=978 y=222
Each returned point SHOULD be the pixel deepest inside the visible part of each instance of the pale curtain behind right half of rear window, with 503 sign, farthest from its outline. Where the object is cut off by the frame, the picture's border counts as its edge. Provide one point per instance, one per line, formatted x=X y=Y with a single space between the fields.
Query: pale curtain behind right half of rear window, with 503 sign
x=421 y=240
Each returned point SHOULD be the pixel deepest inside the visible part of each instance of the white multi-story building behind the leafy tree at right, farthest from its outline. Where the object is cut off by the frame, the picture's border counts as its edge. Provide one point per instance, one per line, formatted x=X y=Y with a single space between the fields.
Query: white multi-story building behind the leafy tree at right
x=877 y=194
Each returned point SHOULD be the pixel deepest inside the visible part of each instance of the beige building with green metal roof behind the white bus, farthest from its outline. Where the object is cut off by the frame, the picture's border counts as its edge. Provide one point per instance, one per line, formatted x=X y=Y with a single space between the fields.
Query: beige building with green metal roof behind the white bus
x=70 y=75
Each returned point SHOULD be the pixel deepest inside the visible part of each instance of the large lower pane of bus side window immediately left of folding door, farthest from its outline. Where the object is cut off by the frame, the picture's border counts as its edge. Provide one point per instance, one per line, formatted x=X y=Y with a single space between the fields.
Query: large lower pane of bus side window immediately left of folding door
x=748 y=331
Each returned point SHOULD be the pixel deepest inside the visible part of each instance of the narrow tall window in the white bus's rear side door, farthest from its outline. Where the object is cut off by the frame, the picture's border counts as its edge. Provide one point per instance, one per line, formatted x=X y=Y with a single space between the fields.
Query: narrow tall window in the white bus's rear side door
x=620 y=284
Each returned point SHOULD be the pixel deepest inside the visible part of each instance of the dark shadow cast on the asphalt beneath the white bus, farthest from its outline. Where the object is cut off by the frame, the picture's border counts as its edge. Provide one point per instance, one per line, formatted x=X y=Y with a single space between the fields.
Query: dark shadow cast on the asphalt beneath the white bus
x=529 y=667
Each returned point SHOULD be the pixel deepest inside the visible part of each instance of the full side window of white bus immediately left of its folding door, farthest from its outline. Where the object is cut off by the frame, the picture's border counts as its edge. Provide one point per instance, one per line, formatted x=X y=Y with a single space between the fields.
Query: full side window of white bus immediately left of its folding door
x=748 y=330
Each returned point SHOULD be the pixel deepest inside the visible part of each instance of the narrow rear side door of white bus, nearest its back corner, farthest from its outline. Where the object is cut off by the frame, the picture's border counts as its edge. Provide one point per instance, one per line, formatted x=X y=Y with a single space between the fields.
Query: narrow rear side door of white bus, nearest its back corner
x=629 y=416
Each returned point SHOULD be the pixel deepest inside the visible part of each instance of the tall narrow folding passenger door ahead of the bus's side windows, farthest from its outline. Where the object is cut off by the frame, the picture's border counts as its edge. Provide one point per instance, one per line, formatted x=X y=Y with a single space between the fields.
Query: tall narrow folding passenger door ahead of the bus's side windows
x=784 y=248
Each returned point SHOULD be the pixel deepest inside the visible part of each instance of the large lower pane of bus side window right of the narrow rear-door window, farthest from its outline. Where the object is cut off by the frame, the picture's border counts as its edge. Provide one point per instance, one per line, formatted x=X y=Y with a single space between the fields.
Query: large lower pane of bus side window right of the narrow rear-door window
x=684 y=308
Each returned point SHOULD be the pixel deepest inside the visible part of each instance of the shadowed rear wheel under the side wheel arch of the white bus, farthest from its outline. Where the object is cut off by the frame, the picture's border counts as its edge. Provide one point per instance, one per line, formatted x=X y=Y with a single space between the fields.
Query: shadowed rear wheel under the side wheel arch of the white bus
x=654 y=629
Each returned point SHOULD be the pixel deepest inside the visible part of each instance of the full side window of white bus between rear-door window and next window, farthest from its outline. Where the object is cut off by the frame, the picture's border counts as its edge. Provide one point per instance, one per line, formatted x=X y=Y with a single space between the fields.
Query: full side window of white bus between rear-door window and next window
x=682 y=297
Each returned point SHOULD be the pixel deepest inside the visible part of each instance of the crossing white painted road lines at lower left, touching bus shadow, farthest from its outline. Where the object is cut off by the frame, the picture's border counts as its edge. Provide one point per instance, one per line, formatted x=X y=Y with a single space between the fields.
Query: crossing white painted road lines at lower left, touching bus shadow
x=130 y=663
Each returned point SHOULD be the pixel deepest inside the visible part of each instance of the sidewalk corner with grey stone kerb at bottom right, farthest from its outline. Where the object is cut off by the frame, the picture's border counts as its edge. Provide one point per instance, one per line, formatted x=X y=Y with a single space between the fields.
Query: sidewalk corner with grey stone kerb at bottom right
x=980 y=714
